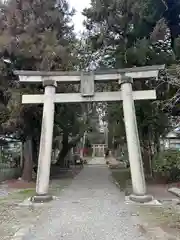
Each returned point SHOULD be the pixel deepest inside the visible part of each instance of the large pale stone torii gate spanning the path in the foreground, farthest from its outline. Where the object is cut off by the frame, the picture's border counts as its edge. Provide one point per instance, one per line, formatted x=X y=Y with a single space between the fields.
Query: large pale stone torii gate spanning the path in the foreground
x=87 y=94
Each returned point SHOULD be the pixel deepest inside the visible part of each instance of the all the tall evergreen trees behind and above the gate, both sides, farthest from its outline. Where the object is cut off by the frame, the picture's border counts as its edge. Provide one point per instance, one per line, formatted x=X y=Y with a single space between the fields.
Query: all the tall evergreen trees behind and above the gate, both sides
x=38 y=35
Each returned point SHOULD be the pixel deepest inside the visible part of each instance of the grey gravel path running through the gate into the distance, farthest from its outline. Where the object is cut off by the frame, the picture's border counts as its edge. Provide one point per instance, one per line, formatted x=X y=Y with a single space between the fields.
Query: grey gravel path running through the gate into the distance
x=92 y=208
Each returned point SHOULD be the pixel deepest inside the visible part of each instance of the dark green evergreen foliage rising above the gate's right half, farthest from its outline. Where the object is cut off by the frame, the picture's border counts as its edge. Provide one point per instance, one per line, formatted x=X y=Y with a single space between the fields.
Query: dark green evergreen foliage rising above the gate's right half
x=127 y=33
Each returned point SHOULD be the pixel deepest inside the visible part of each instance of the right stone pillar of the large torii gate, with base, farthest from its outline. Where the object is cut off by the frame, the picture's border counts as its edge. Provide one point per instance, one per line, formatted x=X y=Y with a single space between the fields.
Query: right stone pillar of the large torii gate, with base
x=134 y=151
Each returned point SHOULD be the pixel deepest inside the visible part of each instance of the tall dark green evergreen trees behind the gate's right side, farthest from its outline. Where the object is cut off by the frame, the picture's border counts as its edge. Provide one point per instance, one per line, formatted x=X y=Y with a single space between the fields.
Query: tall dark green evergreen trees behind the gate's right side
x=138 y=33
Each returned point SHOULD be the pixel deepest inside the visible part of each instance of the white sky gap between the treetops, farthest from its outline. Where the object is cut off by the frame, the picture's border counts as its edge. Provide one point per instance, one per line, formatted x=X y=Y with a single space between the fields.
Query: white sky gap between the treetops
x=79 y=5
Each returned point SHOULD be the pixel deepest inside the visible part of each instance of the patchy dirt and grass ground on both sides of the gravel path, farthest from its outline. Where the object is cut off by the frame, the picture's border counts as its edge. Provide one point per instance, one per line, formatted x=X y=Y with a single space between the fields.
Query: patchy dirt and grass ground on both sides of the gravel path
x=163 y=219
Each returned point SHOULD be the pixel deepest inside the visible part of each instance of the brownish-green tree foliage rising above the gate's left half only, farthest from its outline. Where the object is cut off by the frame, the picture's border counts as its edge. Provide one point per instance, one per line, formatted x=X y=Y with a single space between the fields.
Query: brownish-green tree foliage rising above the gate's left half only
x=39 y=32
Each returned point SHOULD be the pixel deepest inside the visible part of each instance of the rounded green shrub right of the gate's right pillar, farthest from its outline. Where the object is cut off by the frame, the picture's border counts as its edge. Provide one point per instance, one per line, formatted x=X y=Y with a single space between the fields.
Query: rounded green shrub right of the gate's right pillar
x=167 y=164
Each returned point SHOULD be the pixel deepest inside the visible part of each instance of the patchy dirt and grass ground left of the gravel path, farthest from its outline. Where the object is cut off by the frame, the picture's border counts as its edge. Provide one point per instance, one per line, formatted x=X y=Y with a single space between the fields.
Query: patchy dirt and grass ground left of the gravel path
x=13 y=216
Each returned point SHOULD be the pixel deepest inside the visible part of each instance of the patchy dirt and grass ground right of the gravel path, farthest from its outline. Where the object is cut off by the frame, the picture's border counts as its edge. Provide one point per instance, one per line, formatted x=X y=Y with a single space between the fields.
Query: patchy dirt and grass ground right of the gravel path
x=164 y=219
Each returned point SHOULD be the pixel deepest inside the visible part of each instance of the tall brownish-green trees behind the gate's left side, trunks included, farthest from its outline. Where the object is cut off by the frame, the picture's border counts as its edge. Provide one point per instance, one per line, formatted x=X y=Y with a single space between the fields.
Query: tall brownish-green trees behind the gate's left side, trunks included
x=36 y=35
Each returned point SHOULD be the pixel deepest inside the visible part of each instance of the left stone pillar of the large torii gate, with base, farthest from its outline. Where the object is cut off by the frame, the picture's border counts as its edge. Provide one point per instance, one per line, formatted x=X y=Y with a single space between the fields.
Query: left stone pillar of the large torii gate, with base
x=44 y=160
